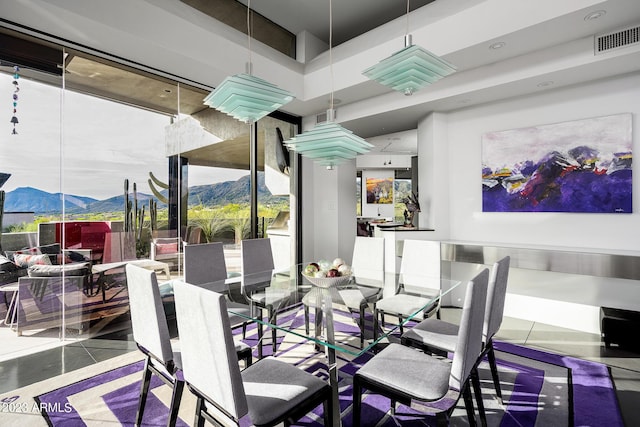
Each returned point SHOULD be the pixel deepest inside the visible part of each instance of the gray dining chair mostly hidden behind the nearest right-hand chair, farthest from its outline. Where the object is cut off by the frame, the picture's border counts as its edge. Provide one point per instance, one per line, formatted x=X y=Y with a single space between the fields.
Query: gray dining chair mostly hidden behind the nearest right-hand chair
x=434 y=334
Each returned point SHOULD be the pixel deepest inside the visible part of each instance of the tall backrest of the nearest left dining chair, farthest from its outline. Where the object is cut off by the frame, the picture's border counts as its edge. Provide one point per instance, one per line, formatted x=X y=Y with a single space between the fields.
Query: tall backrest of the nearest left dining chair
x=209 y=359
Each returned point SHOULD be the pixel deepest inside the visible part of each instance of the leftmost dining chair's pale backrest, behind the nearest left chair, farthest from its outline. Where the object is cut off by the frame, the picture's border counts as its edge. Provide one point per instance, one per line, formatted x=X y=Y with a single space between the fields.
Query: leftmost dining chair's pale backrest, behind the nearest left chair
x=148 y=319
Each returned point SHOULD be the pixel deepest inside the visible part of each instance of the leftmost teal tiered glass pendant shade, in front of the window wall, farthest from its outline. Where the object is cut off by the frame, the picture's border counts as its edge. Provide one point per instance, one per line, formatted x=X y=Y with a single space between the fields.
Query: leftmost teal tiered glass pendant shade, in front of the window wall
x=247 y=98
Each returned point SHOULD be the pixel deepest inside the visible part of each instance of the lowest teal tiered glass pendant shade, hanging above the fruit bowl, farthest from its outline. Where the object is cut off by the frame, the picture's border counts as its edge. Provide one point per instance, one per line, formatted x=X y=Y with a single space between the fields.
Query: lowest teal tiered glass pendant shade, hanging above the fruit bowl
x=329 y=144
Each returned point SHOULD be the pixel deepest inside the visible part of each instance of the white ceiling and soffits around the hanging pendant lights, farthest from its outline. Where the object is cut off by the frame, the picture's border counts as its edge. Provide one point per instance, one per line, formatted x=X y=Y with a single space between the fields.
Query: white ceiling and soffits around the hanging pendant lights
x=548 y=45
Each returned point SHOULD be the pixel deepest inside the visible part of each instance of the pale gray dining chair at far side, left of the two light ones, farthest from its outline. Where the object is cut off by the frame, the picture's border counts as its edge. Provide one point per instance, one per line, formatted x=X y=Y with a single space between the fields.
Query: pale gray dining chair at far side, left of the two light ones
x=367 y=266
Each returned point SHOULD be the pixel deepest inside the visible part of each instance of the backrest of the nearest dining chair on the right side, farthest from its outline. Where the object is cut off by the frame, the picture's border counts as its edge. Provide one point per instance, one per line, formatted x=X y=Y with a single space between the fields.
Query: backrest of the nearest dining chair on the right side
x=469 y=343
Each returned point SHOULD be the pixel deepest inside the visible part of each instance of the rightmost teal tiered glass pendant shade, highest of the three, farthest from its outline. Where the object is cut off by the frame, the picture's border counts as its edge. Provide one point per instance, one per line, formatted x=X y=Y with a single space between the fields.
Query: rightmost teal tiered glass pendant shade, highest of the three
x=409 y=69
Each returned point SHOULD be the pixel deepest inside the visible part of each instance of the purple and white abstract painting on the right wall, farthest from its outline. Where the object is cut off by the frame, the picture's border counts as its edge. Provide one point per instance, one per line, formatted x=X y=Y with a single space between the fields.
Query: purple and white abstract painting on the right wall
x=576 y=166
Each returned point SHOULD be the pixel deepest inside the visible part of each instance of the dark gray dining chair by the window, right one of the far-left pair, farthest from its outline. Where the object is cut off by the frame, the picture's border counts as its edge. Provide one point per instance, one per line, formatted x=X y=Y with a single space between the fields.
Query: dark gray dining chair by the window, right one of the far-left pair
x=257 y=269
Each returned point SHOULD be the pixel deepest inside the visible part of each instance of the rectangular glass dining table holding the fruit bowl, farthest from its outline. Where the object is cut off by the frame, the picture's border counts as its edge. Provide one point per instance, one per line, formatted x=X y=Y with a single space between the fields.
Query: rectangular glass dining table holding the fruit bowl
x=283 y=291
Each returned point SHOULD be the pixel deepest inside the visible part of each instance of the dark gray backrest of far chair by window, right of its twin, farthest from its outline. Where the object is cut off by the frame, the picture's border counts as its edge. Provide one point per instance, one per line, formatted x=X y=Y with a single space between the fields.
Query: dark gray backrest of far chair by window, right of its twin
x=257 y=262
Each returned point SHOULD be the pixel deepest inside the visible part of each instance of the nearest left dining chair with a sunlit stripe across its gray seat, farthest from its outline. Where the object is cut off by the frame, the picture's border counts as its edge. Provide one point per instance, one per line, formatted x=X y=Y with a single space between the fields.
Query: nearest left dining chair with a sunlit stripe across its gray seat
x=269 y=391
